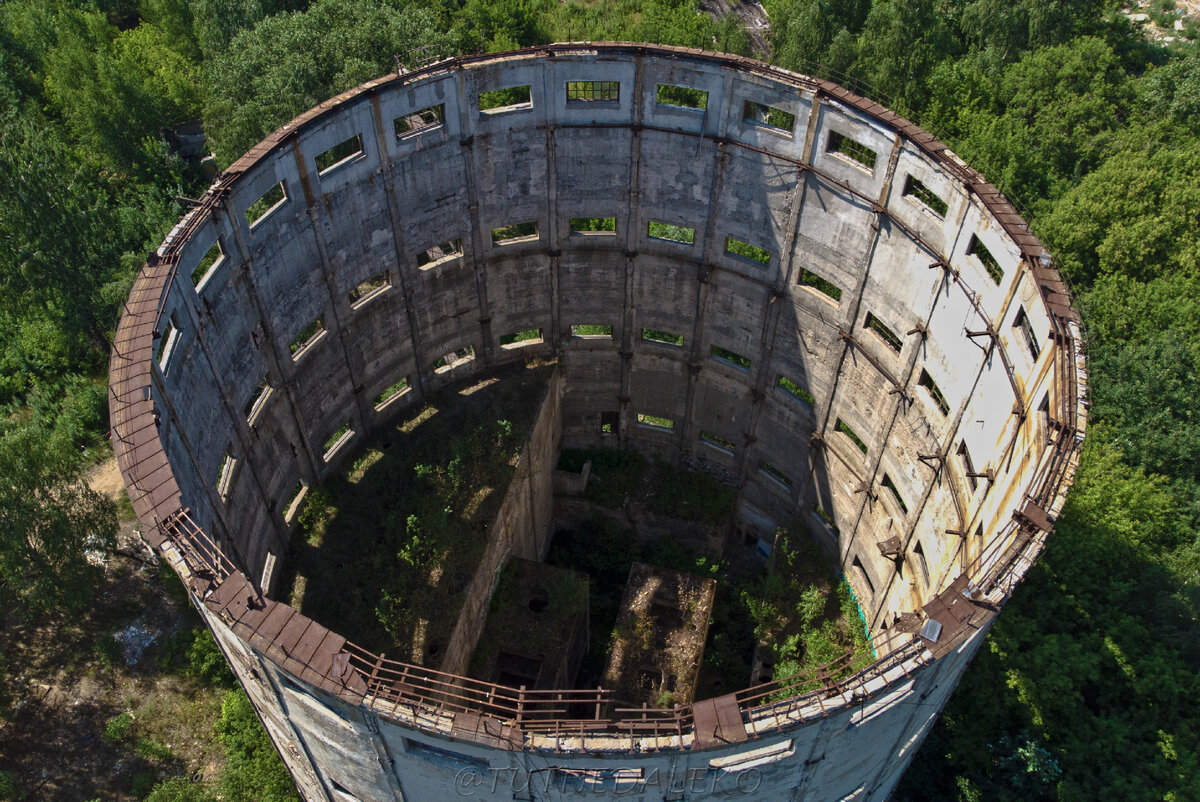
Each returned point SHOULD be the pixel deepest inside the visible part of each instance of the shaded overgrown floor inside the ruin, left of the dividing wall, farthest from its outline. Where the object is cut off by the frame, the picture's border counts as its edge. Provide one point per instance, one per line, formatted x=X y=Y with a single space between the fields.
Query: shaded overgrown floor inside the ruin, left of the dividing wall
x=385 y=550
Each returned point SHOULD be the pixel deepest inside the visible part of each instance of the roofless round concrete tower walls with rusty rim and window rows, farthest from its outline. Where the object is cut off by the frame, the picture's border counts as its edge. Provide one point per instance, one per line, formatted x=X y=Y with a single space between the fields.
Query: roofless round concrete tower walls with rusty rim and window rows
x=793 y=286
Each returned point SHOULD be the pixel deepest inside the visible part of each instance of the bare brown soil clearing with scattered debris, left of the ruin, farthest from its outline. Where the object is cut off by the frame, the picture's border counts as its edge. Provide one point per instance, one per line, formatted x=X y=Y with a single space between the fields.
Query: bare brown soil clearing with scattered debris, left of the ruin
x=64 y=680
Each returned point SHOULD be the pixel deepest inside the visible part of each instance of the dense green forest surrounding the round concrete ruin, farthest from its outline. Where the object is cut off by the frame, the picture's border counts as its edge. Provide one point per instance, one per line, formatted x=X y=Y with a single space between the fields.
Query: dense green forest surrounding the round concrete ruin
x=1088 y=687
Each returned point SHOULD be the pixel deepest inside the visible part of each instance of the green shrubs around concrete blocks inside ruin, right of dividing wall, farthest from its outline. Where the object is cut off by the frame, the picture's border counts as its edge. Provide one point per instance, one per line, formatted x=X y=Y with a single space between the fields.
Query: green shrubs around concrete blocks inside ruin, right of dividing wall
x=799 y=607
